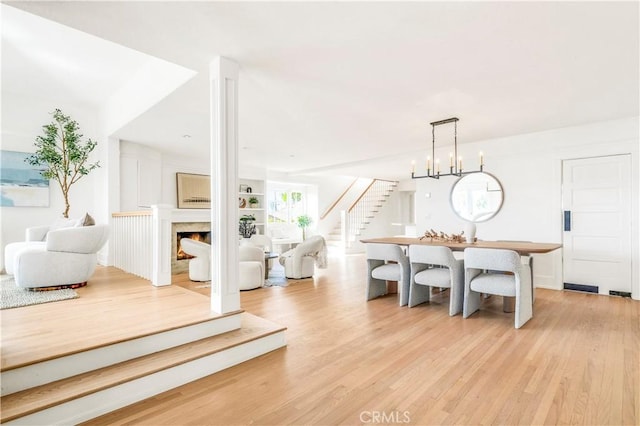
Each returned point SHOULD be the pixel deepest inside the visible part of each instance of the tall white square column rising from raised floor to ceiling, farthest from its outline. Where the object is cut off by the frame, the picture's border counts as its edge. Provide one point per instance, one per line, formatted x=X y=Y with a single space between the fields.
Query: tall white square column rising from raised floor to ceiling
x=225 y=294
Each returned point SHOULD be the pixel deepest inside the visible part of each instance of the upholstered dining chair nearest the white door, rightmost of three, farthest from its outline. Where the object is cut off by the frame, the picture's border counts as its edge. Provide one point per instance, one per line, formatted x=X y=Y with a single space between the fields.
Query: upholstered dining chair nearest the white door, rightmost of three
x=484 y=273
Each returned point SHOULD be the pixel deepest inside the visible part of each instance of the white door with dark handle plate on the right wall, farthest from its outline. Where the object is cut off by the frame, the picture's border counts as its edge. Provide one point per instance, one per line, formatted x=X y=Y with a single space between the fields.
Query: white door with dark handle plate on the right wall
x=596 y=203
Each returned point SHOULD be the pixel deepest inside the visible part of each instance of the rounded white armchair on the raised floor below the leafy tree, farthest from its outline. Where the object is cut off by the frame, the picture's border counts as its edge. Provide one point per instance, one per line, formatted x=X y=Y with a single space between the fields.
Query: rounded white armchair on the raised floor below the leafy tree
x=66 y=257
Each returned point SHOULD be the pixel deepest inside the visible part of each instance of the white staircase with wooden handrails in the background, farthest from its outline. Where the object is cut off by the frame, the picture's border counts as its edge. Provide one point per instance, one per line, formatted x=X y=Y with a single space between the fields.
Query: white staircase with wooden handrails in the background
x=360 y=214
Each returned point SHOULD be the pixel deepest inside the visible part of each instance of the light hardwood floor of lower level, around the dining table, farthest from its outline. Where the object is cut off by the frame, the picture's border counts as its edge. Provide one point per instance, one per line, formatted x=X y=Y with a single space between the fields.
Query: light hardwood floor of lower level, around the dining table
x=354 y=362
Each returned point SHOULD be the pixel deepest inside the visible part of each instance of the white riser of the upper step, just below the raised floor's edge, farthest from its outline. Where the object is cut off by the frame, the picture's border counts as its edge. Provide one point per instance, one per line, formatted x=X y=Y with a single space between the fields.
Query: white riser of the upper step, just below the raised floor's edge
x=56 y=369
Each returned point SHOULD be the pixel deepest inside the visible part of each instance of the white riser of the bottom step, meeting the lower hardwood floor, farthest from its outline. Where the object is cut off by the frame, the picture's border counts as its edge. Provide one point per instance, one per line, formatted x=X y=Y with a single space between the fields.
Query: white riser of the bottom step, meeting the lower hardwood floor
x=107 y=400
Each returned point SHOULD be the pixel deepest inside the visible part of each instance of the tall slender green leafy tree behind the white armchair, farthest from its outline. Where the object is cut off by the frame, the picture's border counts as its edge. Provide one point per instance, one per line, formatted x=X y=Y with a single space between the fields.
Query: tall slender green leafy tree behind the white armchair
x=63 y=155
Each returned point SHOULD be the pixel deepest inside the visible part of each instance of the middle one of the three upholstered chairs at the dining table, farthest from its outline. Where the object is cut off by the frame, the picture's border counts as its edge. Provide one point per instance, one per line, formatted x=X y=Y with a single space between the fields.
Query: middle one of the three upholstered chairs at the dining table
x=435 y=266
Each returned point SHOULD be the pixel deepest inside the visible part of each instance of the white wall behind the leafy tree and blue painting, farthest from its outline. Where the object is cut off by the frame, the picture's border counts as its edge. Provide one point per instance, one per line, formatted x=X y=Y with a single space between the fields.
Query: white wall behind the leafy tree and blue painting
x=22 y=121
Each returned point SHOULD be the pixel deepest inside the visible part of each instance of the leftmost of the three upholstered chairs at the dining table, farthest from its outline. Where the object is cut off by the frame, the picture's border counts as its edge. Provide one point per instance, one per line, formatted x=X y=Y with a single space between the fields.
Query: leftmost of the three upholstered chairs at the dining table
x=387 y=262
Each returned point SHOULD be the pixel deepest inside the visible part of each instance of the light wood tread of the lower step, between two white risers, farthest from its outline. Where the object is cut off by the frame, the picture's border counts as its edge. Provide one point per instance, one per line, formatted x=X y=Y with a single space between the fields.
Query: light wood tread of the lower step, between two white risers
x=32 y=400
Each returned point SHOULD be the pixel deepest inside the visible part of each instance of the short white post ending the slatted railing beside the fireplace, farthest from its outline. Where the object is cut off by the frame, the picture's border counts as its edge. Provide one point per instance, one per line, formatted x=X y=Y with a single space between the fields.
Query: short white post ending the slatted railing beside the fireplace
x=161 y=274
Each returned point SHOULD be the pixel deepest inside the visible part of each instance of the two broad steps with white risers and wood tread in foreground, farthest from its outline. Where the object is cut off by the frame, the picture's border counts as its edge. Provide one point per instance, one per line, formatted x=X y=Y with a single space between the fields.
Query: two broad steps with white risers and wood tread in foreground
x=76 y=387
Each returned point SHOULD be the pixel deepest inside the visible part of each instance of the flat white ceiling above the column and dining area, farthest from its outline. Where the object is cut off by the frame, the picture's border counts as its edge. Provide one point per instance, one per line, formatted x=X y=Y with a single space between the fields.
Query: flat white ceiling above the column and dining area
x=350 y=87
